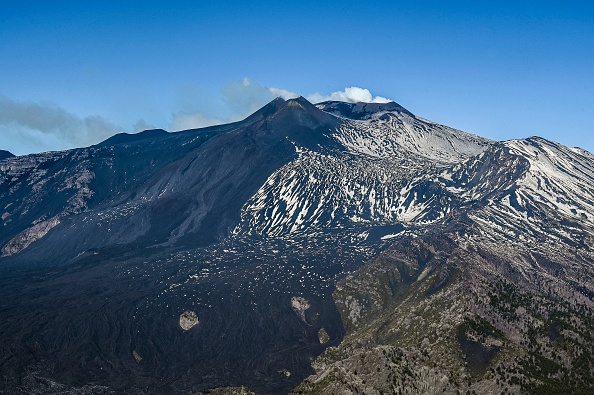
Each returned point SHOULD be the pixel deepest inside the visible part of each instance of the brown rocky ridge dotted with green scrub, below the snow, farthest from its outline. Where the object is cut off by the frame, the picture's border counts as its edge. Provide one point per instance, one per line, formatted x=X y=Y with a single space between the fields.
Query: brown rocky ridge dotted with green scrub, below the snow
x=446 y=312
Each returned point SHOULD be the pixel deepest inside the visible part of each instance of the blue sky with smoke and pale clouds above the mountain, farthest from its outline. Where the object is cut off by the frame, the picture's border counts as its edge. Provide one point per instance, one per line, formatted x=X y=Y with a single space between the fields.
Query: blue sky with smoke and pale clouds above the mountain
x=74 y=72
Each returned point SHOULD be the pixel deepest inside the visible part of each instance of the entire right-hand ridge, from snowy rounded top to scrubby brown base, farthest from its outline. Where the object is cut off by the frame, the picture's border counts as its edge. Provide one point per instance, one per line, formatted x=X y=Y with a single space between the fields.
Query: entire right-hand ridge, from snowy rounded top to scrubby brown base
x=499 y=298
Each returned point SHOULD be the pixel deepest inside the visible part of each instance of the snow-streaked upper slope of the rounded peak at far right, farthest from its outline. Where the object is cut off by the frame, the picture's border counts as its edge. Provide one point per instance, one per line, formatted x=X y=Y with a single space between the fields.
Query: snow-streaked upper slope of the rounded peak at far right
x=529 y=188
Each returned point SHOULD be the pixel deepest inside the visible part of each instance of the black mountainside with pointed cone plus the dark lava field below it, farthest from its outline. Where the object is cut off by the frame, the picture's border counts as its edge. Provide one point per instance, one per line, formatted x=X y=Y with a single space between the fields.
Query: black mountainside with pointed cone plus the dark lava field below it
x=134 y=232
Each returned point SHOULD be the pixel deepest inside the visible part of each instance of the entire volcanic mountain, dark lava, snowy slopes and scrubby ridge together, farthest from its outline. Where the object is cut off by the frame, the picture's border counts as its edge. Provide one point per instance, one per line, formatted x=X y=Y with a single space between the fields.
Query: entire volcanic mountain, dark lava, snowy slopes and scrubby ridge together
x=399 y=255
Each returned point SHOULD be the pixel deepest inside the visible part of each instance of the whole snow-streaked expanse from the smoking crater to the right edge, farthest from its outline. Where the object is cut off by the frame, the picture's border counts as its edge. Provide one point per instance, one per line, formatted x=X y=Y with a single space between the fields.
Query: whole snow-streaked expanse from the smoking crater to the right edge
x=398 y=168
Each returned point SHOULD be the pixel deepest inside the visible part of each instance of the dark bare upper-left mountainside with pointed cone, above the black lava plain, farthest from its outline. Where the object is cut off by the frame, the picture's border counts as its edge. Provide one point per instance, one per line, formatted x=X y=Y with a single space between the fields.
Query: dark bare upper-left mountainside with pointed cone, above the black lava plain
x=150 y=189
